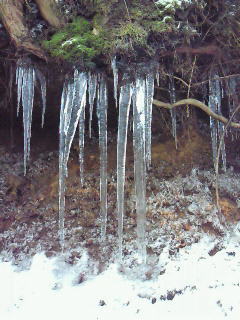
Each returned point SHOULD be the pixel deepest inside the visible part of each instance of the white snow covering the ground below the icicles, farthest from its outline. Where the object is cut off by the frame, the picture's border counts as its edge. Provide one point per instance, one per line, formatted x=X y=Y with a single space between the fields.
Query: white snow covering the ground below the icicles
x=201 y=287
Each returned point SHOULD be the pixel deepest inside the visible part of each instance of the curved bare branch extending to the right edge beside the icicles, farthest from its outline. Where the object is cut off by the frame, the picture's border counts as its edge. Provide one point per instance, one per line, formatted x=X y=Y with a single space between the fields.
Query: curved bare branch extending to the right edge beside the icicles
x=198 y=104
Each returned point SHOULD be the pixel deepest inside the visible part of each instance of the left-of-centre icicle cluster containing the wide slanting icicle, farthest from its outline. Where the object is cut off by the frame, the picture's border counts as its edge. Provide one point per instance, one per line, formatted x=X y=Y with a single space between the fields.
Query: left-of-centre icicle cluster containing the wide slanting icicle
x=73 y=103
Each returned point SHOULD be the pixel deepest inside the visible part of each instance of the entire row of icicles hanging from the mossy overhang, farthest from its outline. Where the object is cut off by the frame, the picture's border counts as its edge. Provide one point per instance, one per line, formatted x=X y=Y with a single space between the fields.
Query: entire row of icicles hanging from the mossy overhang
x=134 y=91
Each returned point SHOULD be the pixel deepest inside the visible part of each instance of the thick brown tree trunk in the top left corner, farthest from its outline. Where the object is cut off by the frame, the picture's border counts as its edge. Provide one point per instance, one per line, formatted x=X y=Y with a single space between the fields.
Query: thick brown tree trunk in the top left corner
x=11 y=12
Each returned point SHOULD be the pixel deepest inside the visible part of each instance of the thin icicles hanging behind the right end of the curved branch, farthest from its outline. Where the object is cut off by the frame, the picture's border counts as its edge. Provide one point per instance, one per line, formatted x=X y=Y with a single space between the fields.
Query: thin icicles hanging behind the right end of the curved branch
x=216 y=128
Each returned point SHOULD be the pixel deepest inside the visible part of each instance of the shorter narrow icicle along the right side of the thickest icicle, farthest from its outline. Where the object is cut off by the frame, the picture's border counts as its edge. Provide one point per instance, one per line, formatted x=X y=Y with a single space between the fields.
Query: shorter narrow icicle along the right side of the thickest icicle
x=149 y=91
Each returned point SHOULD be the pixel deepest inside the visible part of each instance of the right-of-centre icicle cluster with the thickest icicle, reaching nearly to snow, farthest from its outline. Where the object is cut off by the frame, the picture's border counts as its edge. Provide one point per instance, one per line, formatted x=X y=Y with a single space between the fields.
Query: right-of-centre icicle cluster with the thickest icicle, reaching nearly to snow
x=140 y=93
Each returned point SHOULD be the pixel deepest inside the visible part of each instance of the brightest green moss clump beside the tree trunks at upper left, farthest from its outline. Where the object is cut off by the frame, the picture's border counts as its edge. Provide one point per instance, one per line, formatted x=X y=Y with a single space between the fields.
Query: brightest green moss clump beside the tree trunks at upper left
x=76 y=42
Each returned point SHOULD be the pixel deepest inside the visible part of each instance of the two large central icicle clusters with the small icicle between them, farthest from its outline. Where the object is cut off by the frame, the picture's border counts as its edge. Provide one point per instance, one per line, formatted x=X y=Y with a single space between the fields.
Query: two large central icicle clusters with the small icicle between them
x=140 y=94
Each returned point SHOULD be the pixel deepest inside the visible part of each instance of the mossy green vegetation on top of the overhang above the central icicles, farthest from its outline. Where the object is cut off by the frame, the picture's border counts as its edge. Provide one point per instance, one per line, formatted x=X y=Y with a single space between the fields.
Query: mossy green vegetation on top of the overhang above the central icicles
x=133 y=30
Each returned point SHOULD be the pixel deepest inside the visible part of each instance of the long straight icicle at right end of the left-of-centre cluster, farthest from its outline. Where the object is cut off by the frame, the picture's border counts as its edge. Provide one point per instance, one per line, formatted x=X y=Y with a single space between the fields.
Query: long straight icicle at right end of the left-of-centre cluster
x=102 y=124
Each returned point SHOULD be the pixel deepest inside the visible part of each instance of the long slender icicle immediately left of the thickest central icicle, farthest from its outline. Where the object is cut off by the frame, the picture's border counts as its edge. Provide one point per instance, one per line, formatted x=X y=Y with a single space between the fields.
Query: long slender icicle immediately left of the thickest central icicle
x=124 y=107
